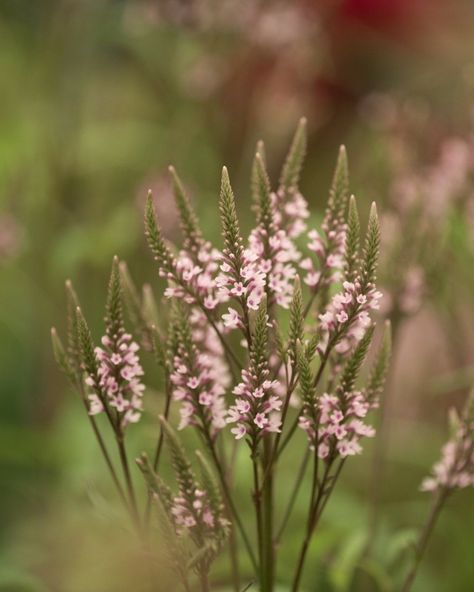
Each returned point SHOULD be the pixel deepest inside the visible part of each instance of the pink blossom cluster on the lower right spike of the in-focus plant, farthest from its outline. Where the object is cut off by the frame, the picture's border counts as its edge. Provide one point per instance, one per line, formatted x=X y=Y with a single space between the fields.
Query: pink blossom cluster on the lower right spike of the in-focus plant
x=340 y=424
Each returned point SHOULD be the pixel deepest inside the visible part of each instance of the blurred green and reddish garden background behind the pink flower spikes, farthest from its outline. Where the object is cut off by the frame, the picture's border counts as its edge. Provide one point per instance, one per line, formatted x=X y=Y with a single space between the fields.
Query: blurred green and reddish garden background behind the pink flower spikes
x=97 y=97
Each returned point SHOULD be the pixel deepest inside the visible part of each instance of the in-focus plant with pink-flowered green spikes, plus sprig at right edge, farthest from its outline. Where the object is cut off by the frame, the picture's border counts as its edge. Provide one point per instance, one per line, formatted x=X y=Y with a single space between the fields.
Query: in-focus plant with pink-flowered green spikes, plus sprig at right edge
x=250 y=354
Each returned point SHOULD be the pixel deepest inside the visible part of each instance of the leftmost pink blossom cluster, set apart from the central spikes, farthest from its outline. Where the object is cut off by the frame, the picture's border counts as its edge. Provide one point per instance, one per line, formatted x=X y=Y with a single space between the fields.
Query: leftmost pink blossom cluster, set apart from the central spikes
x=118 y=379
